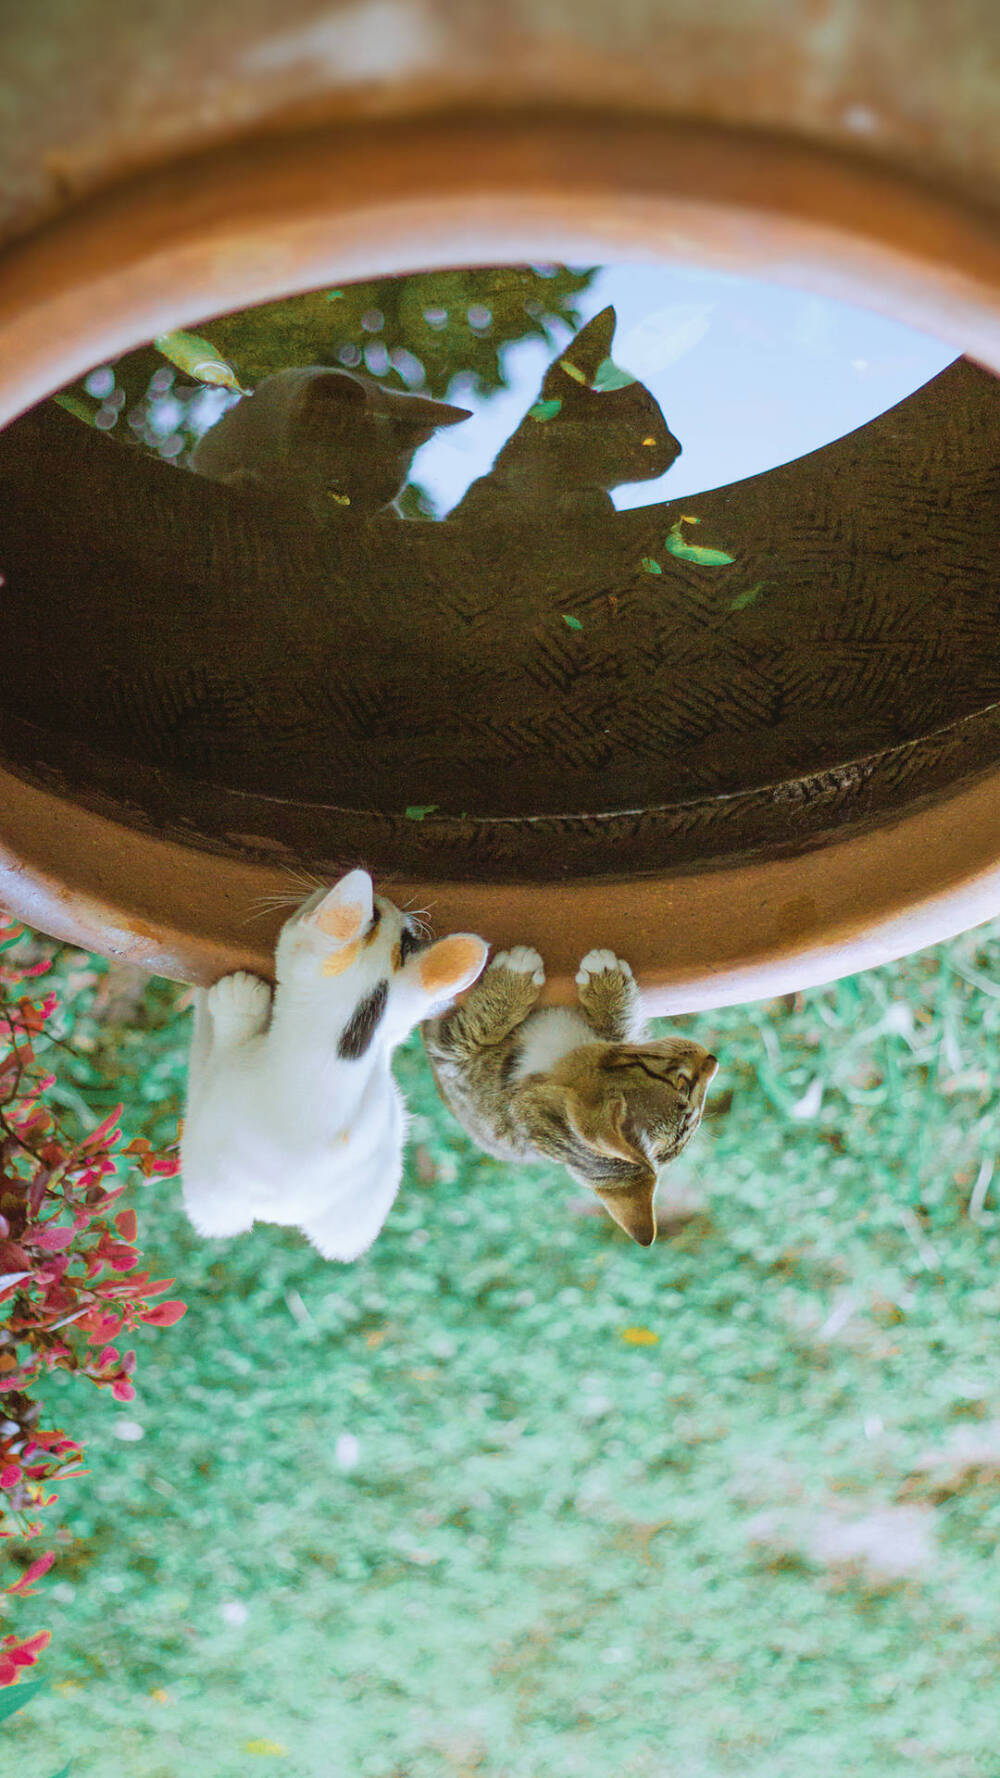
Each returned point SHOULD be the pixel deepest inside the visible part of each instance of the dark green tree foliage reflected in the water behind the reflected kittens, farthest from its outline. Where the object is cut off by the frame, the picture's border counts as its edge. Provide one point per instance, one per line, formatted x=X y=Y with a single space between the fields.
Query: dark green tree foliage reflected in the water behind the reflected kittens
x=414 y=333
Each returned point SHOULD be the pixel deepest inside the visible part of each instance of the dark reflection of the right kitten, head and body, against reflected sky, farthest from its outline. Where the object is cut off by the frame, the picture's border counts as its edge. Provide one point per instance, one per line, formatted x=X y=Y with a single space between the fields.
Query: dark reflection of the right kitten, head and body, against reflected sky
x=592 y=428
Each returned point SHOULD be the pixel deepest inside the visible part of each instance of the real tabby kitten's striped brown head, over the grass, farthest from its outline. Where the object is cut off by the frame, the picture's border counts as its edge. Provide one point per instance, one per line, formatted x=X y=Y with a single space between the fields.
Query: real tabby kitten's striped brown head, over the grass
x=627 y=1110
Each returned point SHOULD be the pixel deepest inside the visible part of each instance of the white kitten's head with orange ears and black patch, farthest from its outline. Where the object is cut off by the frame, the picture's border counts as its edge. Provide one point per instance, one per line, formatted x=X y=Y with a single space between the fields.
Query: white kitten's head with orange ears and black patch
x=357 y=959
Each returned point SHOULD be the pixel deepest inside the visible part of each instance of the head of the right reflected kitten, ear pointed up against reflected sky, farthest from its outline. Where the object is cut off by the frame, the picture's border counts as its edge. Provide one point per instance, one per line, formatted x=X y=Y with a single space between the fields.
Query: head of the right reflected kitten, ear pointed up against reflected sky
x=593 y=424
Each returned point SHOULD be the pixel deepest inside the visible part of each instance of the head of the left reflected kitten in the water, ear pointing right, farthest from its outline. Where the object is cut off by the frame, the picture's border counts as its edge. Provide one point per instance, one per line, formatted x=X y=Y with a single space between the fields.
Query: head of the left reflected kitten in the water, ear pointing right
x=362 y=438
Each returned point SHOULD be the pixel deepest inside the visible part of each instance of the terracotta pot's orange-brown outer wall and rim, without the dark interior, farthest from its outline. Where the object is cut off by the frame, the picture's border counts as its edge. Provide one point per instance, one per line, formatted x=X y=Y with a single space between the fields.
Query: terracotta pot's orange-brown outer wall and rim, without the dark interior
x=307 y=145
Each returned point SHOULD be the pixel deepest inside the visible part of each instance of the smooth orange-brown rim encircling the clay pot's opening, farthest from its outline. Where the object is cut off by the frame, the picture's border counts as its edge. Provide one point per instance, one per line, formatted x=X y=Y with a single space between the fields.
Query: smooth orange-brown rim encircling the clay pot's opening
x=179 y=244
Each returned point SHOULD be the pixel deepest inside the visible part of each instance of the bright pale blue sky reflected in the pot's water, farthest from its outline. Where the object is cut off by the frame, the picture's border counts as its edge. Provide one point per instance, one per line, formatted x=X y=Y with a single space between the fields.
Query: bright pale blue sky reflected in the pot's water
x=748 y=376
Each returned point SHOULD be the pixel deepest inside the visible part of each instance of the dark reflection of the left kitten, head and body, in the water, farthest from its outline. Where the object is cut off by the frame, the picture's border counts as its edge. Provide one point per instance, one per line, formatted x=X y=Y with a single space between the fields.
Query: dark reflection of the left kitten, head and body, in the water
x=327 y=440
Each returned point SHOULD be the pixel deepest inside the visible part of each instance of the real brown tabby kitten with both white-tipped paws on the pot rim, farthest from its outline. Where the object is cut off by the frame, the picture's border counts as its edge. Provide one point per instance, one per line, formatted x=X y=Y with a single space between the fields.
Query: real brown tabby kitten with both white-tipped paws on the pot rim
x=577 y=1085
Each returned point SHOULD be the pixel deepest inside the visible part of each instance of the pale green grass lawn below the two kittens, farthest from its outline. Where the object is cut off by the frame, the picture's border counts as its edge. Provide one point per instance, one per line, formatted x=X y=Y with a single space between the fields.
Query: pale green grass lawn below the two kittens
x=563 y=1555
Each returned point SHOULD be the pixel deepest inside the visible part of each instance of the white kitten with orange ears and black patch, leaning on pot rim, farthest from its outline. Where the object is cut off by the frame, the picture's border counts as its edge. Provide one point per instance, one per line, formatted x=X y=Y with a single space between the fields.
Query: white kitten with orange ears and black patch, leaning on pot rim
x=293 y=1114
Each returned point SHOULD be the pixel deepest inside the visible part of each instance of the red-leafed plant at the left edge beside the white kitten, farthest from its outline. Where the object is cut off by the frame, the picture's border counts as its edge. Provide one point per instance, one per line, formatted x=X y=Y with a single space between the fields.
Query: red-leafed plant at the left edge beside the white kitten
x=69 y=1281
